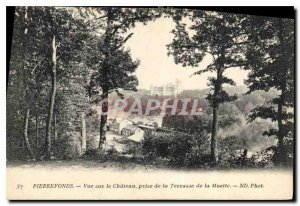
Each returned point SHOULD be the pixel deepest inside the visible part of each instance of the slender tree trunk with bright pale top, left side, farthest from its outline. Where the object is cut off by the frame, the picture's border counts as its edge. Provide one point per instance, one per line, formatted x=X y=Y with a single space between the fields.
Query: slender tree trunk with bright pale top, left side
x=52 y=99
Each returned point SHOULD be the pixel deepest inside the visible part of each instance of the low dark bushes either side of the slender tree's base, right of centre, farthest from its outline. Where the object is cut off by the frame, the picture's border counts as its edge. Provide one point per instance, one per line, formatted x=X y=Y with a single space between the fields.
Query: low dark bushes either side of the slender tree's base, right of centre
x=183 y=150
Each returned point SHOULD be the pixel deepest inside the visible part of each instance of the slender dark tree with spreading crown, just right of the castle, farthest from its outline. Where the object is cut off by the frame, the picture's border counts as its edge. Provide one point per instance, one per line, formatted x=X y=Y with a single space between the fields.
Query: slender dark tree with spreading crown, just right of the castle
x=214 y=34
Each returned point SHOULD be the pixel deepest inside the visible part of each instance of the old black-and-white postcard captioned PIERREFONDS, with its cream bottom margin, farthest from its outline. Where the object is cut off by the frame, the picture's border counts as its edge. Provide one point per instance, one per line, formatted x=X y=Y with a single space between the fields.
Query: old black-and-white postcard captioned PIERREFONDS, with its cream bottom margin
x=160 y=103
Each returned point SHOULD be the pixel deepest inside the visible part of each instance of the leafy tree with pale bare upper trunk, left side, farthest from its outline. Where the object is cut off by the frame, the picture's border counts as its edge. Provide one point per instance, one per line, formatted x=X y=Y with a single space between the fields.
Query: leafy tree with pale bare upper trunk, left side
x=64 y=34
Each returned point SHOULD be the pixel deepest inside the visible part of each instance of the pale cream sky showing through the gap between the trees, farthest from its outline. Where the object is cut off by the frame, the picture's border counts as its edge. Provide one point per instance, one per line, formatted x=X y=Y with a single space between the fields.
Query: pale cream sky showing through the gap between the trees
x=148 y=44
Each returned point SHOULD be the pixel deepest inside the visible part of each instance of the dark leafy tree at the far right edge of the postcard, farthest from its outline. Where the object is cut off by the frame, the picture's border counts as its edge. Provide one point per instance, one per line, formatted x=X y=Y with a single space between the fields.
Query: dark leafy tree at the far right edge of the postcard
x=270 y=56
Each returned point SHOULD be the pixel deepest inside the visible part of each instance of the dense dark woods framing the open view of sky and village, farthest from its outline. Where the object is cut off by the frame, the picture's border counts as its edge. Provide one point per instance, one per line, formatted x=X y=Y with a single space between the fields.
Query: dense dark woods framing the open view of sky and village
x=65 y=61
